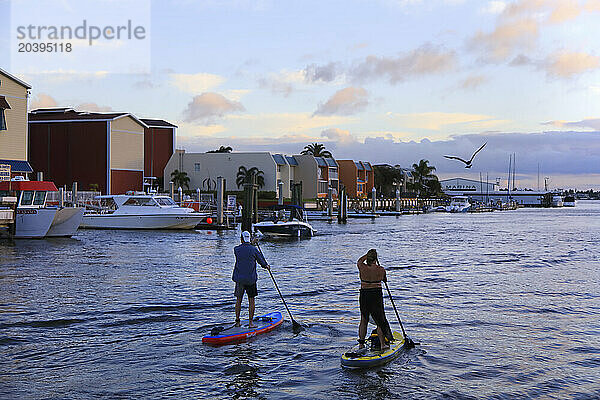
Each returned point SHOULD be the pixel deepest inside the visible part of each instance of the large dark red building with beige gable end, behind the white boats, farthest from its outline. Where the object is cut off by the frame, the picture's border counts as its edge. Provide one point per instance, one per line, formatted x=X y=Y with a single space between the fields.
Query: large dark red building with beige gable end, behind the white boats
x=102 y=151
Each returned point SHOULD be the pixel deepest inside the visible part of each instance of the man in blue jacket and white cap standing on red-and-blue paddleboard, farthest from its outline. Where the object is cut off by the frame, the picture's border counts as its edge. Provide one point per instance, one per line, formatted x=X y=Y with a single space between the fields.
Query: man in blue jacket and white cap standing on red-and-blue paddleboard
x=245 y=277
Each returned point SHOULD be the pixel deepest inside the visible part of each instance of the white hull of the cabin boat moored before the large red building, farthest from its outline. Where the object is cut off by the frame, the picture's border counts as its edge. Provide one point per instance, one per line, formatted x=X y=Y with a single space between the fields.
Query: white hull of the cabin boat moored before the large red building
x=129 y=221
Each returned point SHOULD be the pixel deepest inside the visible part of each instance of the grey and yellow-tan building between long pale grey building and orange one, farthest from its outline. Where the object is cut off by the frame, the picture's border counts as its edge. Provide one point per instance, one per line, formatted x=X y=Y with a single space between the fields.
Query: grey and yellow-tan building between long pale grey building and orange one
x=317 y=175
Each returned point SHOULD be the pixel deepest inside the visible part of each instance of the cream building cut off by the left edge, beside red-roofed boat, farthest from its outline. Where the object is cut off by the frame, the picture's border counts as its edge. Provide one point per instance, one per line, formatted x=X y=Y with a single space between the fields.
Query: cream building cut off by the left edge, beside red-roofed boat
x=14 y=98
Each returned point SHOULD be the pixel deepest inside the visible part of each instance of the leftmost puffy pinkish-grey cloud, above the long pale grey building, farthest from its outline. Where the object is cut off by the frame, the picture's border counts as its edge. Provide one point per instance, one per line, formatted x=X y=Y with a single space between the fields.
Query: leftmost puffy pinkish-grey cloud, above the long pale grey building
x=206 y=107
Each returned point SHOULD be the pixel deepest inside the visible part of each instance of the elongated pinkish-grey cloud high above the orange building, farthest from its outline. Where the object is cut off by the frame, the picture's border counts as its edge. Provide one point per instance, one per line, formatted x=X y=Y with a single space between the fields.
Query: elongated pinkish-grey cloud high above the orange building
x=424 y=60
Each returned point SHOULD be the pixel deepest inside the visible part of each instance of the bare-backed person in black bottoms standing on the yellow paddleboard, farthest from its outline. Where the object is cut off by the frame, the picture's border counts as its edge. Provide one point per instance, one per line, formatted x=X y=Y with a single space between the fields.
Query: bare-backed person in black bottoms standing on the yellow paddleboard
x=371 y=298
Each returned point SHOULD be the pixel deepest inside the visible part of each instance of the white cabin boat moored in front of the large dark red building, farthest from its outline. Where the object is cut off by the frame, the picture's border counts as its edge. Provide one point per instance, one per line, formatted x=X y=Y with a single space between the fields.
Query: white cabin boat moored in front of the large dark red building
x=141 y=211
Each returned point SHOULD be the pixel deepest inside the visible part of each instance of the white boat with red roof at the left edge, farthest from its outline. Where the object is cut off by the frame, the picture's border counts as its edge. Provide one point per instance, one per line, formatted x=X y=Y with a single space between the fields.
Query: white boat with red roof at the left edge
x=33 y=218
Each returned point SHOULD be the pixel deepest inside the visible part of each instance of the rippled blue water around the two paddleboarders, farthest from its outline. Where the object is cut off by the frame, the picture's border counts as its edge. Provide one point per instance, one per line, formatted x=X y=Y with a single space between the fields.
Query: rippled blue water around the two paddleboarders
x=505 y=305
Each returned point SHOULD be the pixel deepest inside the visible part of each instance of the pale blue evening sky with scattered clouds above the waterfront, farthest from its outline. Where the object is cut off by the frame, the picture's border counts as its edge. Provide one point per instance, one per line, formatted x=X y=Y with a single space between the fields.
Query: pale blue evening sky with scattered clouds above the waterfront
x=385 y=81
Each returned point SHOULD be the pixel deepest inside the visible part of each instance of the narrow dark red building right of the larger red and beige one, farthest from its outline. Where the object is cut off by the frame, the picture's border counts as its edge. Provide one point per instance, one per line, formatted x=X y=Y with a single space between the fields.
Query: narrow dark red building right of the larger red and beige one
x=159 y=145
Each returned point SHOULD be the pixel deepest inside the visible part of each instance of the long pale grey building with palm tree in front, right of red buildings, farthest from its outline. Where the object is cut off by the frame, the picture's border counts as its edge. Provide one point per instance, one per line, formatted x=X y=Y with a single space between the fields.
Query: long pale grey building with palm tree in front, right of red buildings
x=204 y=168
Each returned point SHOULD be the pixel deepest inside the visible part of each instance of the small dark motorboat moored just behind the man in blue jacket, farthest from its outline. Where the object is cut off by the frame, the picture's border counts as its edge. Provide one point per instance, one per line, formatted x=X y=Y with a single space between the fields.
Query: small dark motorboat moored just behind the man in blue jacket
x=294 y=226
